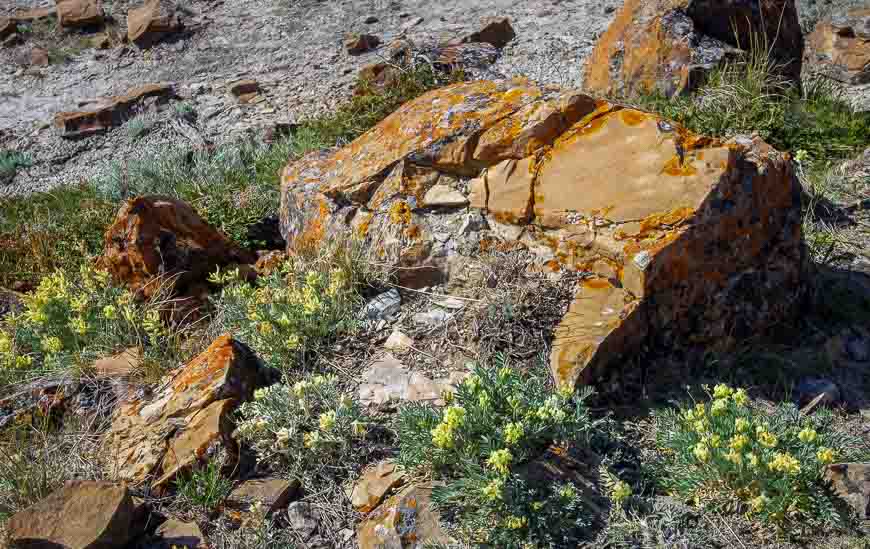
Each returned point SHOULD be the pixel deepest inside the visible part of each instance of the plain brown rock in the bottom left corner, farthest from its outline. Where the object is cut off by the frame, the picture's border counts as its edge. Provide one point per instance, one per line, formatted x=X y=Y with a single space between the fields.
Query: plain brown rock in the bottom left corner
x=81 y=515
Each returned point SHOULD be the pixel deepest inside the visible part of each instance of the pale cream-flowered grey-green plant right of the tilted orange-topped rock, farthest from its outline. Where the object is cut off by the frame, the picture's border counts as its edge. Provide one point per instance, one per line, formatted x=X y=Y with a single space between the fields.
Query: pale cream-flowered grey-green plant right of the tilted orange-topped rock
x=309 y=428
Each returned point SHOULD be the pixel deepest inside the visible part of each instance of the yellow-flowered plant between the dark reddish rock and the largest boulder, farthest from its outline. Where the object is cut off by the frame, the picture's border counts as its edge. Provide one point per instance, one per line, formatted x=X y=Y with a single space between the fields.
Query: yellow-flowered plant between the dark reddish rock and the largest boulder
x=290 y=313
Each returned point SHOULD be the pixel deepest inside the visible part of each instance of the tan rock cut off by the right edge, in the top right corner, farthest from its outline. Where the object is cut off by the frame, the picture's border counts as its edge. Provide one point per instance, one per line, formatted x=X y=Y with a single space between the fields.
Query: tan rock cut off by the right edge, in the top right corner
x=840 y=47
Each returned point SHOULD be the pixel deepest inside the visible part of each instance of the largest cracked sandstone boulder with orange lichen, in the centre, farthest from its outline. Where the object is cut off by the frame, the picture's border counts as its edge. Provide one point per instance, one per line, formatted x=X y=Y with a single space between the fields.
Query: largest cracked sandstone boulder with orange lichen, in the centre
x=684 y=239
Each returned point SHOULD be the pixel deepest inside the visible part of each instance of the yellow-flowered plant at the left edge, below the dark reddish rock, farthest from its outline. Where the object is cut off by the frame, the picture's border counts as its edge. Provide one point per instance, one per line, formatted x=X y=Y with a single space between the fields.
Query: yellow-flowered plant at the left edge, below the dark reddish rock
x=71 y=320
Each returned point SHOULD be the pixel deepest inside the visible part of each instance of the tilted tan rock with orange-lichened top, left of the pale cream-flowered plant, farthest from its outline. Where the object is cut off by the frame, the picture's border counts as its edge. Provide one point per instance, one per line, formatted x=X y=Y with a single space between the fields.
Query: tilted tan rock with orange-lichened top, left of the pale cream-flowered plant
x=171 y=431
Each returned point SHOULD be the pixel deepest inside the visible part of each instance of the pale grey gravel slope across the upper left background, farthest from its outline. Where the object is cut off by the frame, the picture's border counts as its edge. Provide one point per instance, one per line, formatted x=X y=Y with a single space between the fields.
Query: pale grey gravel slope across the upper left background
x=293 y=48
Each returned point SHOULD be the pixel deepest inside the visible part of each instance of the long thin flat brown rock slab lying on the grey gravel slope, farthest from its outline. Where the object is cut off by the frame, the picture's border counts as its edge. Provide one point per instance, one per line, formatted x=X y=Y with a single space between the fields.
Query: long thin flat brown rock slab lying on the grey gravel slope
x=108 y=112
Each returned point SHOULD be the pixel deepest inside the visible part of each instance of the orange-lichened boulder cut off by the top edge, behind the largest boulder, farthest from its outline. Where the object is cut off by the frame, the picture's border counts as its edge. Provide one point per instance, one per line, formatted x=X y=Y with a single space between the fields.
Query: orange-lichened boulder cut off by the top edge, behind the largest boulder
x=669 y=45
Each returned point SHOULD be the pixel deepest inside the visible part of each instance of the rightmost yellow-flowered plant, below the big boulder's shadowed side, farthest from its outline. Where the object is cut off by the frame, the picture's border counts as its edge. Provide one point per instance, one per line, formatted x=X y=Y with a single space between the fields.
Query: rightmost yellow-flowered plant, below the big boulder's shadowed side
x=726 y=453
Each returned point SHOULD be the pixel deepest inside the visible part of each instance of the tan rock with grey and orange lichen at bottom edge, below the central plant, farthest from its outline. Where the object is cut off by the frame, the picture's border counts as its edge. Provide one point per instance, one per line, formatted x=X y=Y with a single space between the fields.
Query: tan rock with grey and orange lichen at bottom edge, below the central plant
x=405 y=521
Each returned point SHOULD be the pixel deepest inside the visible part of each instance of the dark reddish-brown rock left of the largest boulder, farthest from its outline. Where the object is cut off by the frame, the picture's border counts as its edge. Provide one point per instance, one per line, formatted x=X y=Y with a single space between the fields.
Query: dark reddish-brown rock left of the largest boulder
x=155 y=236
